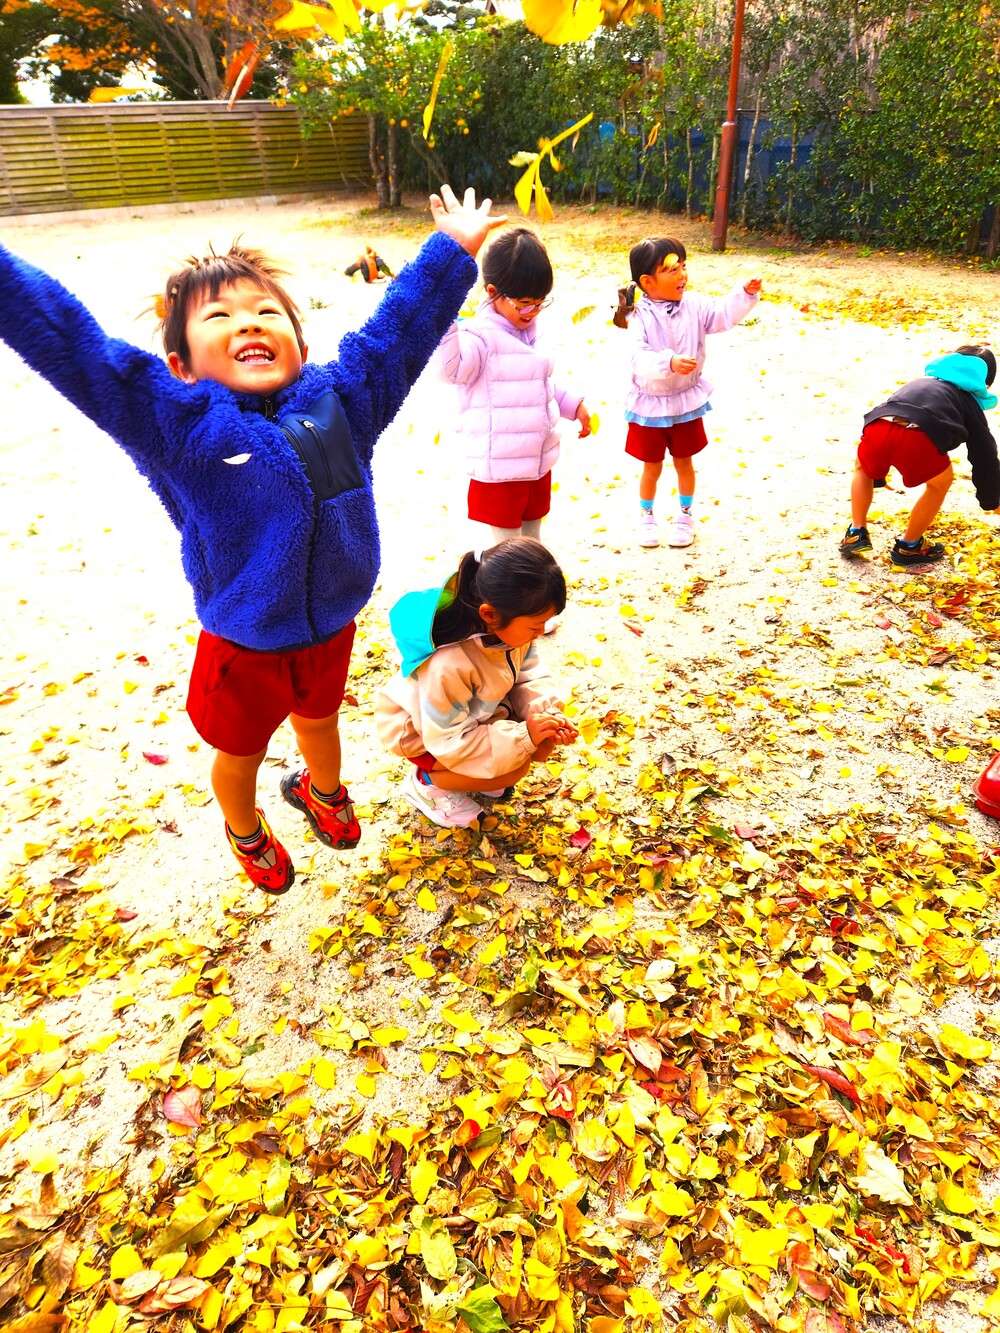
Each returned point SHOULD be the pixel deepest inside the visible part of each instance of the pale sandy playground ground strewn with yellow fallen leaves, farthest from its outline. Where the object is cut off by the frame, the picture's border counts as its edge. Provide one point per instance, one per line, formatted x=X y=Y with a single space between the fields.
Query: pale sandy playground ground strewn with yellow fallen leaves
x=697 y=1032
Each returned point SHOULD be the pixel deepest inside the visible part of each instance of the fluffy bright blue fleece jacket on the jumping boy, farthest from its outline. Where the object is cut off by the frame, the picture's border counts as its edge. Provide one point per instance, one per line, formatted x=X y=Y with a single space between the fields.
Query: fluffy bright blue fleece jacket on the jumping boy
x=273 y=566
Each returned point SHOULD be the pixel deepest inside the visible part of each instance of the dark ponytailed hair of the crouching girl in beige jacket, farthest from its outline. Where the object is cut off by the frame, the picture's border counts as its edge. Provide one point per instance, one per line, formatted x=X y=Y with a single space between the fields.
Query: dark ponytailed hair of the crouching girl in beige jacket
x=517 y=578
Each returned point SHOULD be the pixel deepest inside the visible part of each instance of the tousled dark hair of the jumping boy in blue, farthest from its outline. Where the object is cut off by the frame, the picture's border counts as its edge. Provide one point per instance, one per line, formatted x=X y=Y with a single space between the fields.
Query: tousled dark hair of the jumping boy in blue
x=202 y=281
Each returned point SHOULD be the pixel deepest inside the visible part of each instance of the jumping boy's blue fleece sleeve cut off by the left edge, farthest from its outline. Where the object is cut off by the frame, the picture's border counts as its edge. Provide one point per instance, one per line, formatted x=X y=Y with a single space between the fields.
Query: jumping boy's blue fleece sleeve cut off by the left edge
x=107 y=379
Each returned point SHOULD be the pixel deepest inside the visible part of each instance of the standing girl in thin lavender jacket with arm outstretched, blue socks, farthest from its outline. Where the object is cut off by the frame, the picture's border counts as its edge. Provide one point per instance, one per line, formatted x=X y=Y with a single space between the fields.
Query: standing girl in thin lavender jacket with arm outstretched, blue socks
x=670 y=397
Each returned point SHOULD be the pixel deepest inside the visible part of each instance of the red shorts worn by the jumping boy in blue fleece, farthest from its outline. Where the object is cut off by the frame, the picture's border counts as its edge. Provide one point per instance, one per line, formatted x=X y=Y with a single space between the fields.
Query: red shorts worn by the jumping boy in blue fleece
x=238 y=698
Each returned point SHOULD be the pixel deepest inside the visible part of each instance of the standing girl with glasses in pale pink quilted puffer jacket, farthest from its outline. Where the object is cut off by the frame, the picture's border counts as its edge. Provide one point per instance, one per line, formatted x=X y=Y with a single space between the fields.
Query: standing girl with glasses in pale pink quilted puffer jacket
x=509 y=405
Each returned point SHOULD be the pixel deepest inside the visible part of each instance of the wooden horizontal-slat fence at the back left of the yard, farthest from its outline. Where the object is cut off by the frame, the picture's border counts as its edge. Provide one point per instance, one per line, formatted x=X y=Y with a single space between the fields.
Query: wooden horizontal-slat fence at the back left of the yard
x=65 y=158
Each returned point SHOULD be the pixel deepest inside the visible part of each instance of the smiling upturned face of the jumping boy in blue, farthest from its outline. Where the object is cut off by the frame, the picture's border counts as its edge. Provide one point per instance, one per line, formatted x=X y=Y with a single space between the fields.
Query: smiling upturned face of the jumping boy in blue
x=242 y=339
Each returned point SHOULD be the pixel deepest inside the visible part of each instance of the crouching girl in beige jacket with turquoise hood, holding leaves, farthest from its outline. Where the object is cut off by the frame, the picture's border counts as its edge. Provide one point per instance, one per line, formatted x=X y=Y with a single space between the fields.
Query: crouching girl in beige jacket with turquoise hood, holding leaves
x=473 y=707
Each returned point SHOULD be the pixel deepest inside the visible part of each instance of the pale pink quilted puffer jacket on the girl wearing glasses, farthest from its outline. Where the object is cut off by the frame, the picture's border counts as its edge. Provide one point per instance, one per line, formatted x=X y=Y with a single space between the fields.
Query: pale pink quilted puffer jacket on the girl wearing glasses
x=509 y=406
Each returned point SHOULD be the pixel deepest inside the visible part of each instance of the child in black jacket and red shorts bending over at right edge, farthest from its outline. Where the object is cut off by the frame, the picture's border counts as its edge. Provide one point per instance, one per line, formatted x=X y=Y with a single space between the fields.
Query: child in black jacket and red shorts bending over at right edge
x=914 y=431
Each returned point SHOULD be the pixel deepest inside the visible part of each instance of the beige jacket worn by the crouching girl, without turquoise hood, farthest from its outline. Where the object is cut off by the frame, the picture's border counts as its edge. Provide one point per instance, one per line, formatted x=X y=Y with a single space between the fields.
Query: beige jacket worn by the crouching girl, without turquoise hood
x=466 y=706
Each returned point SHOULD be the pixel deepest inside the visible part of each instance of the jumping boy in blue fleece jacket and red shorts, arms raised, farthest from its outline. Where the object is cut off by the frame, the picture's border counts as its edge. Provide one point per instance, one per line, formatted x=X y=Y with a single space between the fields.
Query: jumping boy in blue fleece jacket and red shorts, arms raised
x=263 y=463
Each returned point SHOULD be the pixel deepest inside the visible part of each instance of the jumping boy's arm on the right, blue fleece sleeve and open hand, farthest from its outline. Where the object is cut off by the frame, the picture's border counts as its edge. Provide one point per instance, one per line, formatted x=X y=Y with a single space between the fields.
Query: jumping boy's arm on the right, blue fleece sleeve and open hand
x=378 y=366
